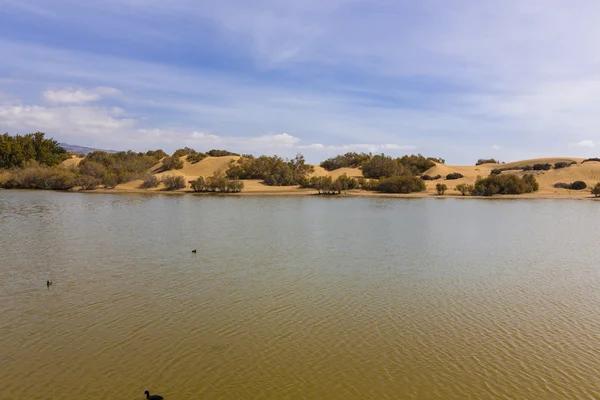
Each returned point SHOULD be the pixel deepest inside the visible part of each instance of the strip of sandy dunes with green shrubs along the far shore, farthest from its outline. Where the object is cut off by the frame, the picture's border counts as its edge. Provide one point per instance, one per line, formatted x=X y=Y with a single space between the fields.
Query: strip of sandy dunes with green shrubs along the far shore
x=33 y=161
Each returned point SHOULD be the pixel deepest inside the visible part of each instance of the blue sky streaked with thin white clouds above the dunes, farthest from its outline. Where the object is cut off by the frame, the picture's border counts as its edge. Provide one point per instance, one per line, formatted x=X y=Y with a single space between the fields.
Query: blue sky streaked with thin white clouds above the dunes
x=457 y=79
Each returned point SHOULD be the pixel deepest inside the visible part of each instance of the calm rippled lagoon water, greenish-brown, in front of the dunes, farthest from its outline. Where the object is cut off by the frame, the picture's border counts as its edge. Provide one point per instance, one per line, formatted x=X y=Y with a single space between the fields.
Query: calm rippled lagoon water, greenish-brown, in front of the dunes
x=297 y=298
